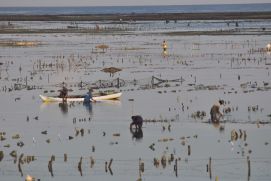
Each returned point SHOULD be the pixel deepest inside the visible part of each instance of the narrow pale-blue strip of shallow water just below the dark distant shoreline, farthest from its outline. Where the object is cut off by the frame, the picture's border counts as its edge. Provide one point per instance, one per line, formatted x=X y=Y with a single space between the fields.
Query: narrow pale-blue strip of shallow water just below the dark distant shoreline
x=149 y=26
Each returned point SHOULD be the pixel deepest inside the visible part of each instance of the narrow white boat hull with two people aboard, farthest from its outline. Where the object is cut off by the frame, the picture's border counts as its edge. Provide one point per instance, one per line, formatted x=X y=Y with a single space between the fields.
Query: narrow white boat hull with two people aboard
x=80 y=98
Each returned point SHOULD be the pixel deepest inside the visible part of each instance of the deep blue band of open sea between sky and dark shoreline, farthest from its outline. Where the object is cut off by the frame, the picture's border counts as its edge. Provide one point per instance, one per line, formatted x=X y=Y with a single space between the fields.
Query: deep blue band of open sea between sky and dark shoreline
x=137 y=9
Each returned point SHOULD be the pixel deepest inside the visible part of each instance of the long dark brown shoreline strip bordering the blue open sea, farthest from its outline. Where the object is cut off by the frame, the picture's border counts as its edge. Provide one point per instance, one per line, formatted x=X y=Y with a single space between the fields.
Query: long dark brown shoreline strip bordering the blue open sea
x=140 y=16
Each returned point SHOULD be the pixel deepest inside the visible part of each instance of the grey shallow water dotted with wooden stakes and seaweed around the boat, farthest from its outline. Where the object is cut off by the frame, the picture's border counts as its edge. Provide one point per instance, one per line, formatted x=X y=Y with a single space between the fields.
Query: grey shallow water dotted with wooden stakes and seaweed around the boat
x=173 y=91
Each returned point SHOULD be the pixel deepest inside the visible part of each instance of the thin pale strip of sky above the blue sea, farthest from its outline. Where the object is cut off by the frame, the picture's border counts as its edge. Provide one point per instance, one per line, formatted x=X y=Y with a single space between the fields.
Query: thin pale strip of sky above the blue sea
x=6 y=3
